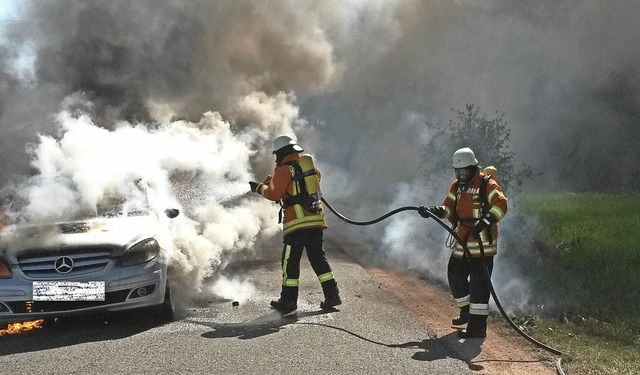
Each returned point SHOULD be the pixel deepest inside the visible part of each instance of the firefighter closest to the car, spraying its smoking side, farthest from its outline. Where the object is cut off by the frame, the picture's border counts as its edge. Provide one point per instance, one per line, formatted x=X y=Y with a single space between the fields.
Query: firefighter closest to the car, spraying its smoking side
x=296 y=186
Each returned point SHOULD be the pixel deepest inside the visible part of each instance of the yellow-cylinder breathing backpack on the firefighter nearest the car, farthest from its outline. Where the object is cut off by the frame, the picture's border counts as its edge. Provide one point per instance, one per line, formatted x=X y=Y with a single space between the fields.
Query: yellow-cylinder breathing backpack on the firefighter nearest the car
x=307 y=184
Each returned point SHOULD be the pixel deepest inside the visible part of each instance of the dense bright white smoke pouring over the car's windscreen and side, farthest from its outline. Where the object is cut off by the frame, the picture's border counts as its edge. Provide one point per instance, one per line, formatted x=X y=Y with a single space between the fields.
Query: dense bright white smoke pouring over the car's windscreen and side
x=201 y=168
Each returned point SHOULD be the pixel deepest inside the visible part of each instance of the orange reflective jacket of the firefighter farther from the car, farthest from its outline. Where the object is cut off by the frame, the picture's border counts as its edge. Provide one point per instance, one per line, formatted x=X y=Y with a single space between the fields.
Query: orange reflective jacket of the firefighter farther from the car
x=465 y=209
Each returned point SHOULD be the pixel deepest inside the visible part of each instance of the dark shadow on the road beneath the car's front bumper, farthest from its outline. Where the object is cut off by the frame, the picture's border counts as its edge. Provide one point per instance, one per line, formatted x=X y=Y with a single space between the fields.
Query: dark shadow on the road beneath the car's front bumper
x=70 y=331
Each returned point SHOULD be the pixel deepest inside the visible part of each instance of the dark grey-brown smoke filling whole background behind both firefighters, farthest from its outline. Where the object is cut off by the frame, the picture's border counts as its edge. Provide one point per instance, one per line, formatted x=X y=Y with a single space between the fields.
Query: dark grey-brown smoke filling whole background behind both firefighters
x=356 y=80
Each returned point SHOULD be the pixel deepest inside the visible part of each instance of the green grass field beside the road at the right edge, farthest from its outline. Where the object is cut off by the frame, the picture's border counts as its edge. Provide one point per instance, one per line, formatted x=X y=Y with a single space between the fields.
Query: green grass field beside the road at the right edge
x=595 y=239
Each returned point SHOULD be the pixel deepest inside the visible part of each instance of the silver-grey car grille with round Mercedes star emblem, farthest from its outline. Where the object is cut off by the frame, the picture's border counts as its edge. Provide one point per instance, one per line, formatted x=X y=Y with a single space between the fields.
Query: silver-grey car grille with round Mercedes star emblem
x=41 y=265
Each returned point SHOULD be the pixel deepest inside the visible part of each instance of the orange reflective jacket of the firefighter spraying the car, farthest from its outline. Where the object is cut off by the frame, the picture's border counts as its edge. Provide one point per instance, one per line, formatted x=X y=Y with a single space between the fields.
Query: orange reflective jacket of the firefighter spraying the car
x=281 y=186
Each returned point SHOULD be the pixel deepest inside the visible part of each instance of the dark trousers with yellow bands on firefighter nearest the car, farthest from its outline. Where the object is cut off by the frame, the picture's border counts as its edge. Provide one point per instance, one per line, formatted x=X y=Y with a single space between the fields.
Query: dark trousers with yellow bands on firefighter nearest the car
x=294 y=244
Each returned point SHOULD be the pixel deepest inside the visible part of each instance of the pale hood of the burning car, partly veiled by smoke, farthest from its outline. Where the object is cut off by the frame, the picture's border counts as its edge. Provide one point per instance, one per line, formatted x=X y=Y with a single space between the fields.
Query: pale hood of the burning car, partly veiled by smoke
x=118 y=233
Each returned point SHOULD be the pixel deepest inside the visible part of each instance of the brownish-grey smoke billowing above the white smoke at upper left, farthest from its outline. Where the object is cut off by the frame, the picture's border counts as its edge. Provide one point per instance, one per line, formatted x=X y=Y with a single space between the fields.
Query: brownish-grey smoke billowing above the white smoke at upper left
x=131 y=58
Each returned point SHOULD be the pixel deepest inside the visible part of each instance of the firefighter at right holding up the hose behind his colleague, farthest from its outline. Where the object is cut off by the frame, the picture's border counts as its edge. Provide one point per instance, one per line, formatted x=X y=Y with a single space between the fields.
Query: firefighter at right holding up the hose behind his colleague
x=474 y=204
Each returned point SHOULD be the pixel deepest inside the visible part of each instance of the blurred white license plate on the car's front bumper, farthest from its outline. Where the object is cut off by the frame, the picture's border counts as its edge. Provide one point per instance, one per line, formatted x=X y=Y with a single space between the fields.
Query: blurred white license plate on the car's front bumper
x=68 y=291
